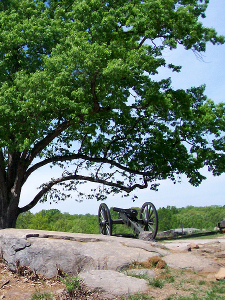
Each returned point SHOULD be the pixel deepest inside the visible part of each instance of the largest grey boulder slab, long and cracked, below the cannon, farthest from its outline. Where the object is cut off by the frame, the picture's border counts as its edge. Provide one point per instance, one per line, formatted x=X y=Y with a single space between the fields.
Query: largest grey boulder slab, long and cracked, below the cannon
x=46 y=251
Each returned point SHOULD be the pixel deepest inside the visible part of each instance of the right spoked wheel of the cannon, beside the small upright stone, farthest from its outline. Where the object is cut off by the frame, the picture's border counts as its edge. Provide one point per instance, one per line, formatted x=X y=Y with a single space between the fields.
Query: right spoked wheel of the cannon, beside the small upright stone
x=149 y=217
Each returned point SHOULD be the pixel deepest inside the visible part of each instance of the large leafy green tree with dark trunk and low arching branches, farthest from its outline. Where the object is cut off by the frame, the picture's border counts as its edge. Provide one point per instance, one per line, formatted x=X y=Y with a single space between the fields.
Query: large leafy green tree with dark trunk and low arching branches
x=77 y=90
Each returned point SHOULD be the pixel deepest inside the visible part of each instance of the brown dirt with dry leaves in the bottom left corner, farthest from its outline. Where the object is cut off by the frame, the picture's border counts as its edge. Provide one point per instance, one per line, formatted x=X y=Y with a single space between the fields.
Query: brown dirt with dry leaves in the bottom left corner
x=14 y=286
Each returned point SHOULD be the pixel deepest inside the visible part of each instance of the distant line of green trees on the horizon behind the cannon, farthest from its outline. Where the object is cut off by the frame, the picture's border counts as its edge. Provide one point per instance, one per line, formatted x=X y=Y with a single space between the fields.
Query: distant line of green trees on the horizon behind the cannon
x=169 y=218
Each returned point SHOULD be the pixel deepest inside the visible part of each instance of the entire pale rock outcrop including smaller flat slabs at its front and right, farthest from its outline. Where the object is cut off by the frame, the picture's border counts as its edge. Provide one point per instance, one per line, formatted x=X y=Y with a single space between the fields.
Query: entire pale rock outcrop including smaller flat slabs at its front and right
x=99 y=260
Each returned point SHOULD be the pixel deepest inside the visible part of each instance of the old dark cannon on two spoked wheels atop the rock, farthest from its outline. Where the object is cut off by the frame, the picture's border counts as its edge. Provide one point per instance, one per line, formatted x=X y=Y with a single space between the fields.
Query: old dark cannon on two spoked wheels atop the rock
x=147 y=221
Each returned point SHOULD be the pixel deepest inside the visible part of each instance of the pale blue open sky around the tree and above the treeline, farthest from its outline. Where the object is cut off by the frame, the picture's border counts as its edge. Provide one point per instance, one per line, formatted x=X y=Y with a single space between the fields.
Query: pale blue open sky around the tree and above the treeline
x=210 y=71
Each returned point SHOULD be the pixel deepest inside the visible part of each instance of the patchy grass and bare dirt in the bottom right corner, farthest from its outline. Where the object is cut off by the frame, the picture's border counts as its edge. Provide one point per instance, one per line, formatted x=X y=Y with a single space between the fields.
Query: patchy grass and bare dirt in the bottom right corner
x=178 y=284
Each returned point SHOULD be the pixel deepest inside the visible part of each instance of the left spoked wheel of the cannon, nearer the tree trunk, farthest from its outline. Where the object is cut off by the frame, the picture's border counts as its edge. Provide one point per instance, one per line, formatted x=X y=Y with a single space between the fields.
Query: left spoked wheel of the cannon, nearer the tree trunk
x=104 y=219
